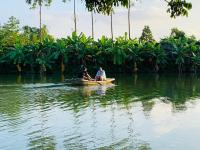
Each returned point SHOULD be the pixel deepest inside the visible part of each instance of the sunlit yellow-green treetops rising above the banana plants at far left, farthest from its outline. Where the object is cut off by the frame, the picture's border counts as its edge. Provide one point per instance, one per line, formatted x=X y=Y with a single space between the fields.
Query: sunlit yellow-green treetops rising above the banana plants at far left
x=11 y=33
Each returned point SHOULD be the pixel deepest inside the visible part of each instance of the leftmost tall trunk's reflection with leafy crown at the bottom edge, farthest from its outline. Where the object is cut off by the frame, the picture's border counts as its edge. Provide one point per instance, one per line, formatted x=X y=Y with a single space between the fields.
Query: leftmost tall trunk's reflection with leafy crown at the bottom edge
x=40 y=139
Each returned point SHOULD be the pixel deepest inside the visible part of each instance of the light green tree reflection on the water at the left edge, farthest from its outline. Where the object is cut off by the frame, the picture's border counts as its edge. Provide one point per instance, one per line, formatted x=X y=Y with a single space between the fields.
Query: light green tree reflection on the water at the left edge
x=11 y=107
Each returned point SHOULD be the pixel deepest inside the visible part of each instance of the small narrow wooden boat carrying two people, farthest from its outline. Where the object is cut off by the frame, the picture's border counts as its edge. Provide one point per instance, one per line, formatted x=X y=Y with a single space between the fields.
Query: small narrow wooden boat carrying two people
x=83 y=82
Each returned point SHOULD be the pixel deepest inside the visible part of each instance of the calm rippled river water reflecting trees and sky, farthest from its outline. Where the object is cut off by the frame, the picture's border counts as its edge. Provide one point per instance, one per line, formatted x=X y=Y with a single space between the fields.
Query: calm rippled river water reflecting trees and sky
x=139 y=112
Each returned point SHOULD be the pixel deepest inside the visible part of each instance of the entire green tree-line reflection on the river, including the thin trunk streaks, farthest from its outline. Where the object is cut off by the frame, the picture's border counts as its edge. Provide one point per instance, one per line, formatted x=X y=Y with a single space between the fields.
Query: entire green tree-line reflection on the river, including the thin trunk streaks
x=176 y=90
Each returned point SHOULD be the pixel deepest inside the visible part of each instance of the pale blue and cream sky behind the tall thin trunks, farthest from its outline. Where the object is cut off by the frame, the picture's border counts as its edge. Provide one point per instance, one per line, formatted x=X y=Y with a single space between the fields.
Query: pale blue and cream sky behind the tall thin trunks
x=59 y=18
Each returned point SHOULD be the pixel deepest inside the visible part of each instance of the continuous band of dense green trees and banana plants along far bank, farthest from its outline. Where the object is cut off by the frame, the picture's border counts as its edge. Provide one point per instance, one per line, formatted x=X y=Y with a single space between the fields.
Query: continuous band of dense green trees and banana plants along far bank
x=21 y=50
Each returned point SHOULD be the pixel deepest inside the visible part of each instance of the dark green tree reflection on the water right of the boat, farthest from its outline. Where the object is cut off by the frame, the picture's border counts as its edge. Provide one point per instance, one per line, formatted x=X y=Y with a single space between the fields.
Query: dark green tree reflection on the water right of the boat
x=177 y=89
